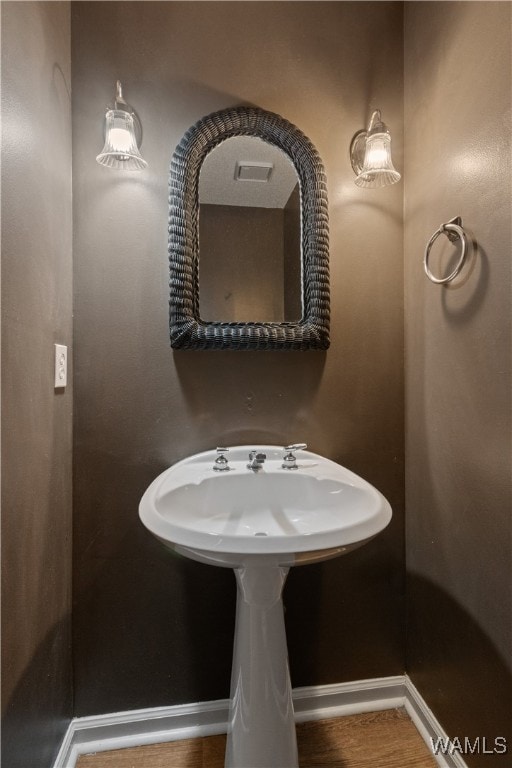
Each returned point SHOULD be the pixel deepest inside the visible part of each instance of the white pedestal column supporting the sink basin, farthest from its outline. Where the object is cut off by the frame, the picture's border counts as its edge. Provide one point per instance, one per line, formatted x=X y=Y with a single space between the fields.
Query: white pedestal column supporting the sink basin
x=261 y=731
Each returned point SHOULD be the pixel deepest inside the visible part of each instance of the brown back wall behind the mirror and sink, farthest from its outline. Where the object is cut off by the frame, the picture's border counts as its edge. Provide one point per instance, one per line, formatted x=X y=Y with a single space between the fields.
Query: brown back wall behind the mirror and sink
x=152 y=629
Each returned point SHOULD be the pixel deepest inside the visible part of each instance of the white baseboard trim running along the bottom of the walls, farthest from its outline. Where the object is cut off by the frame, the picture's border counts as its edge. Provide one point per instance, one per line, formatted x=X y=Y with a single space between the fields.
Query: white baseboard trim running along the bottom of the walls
x=184 y=721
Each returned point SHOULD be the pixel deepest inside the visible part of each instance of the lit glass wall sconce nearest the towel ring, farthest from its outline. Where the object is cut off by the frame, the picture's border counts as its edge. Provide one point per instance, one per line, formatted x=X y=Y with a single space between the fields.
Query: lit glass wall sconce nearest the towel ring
x=370 y=155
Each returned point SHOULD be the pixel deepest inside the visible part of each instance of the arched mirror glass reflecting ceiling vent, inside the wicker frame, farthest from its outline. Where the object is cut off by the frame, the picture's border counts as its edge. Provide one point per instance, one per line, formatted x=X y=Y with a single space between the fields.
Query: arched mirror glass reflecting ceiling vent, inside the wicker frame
x=249 y=234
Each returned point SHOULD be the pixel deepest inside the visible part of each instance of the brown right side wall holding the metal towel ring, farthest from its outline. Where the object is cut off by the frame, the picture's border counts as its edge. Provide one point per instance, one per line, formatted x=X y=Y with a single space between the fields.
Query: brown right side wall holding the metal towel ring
x=458 y=374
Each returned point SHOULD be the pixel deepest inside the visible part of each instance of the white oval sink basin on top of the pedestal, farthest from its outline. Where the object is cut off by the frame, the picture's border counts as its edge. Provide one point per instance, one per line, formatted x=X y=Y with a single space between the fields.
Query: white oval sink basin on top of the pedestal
x=314 y=512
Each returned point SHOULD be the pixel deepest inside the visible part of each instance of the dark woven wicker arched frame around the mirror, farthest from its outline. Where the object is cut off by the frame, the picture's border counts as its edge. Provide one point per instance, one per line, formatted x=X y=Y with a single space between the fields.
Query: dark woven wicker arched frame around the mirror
x=187 y=329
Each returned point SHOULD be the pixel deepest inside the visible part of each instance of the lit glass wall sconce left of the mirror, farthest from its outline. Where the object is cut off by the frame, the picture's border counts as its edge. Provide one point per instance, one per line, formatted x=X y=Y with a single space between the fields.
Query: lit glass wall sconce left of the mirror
x=123 y=134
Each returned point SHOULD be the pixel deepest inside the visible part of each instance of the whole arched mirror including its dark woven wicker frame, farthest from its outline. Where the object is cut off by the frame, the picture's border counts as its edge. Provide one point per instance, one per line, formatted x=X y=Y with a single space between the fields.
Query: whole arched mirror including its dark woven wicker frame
x=248 y=236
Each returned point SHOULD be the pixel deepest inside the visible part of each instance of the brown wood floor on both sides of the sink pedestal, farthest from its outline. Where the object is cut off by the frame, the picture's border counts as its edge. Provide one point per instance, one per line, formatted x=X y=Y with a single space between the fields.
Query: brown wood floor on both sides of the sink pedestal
x=375 y=740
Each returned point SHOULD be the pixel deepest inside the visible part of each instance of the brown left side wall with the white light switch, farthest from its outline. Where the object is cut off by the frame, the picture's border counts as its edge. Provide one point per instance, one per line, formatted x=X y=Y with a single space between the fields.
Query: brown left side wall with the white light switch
x=36 y=421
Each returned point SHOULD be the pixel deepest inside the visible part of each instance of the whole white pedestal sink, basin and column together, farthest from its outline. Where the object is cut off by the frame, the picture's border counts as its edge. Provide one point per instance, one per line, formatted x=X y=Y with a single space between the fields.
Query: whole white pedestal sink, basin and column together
x=260 y=519
